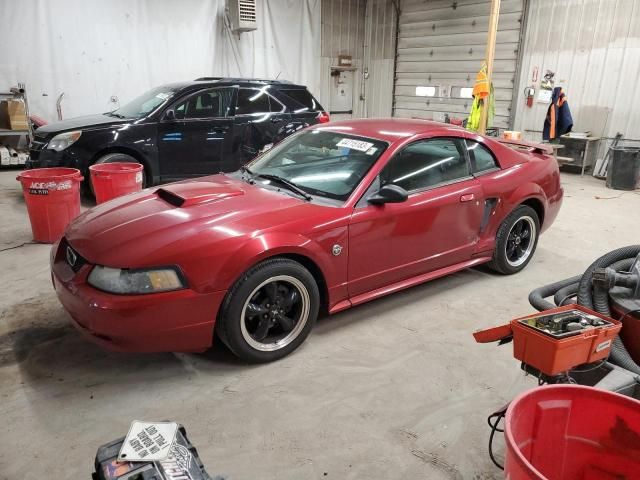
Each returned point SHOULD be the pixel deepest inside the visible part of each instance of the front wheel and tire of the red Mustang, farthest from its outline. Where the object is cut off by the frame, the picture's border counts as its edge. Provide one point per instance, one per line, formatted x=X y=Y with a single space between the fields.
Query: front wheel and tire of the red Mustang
x=269 y=311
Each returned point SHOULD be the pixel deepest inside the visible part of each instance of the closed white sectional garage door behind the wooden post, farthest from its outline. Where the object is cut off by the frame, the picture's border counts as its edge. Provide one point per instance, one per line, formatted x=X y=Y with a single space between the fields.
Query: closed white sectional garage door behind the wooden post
x=441 y=46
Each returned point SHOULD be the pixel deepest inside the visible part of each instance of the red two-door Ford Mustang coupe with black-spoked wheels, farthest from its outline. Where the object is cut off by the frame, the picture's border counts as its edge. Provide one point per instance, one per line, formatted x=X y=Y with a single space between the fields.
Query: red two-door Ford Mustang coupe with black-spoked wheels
x=331 y=217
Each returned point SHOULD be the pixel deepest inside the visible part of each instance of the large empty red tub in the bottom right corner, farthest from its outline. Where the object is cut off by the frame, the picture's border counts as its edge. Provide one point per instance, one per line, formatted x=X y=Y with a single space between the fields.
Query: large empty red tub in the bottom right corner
x=571 y=432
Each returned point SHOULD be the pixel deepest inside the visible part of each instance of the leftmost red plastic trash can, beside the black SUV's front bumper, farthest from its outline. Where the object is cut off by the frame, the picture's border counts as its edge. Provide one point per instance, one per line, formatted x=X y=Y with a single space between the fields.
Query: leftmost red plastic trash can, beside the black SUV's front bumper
x=52 y=196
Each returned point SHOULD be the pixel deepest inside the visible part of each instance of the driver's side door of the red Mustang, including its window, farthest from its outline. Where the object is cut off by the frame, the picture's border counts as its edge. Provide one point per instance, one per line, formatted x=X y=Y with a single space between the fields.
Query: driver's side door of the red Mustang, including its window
x=436 y=227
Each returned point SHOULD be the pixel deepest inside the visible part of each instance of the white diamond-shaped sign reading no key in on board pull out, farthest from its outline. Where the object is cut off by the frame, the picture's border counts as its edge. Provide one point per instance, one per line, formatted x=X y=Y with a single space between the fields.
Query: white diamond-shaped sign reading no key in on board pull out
x=148 y=441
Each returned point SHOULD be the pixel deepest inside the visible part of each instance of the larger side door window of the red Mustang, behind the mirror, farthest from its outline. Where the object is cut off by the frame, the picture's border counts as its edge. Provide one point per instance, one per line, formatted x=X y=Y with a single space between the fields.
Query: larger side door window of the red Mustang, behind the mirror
x=427 y=163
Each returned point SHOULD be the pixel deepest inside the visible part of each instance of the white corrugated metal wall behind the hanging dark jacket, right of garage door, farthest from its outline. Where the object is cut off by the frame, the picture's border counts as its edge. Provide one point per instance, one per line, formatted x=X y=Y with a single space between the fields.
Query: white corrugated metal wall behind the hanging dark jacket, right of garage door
x=593 y=46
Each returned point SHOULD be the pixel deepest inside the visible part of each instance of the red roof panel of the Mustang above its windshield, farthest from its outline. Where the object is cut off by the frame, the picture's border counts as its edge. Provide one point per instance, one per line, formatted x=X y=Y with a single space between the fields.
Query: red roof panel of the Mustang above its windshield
x=389 y=129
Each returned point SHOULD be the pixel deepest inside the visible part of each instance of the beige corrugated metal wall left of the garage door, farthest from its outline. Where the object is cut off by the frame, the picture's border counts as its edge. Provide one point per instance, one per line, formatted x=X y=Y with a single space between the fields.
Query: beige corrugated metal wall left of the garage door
x=364 y=29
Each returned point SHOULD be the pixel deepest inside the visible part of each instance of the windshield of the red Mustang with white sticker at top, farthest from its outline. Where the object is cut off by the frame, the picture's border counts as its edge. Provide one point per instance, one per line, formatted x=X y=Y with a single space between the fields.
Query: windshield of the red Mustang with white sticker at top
x=321 y=162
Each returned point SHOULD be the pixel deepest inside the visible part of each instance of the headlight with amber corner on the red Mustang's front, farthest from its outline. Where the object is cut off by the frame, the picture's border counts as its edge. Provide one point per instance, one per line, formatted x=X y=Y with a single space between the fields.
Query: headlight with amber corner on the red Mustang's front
x=133 y=282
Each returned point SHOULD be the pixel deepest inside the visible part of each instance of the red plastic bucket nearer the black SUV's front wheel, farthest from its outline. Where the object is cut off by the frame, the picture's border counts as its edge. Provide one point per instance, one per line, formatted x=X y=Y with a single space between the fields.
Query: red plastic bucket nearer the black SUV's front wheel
x=111 y=180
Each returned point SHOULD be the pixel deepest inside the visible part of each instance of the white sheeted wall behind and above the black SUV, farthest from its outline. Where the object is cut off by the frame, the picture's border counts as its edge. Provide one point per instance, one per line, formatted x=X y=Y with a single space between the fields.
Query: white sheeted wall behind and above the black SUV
x=93 y=49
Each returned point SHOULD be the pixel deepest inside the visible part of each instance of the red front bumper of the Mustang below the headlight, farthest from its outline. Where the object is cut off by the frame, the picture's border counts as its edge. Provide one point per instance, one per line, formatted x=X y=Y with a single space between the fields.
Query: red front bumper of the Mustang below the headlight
x=179 y=321
